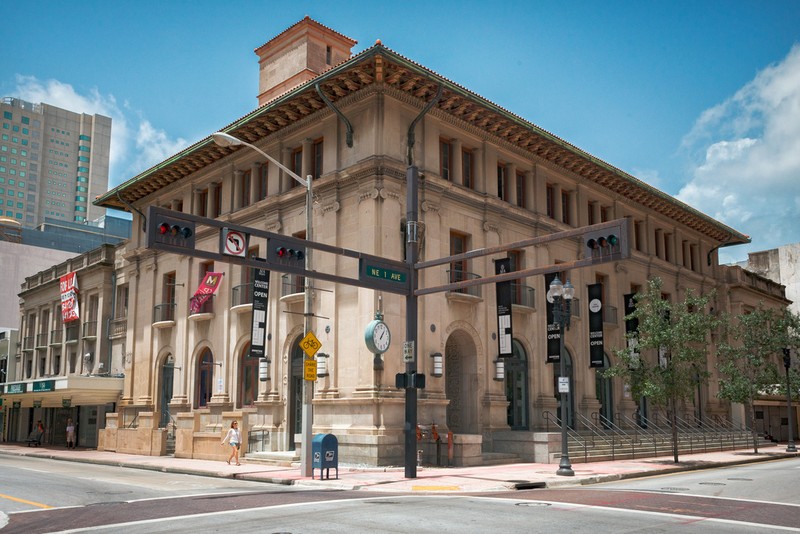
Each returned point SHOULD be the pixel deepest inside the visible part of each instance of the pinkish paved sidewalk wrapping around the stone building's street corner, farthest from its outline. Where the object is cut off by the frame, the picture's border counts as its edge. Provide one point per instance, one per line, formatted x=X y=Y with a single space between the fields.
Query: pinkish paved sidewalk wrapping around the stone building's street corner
x=429 y=479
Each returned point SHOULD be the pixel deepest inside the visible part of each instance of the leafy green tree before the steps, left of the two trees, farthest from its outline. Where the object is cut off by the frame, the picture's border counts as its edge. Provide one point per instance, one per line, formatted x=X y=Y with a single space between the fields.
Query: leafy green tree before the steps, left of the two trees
x=677 y=332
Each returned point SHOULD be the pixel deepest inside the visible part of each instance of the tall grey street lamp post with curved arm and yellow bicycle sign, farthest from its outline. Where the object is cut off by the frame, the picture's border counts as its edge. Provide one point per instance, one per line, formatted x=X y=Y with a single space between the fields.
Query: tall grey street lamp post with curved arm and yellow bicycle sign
x=224 y=139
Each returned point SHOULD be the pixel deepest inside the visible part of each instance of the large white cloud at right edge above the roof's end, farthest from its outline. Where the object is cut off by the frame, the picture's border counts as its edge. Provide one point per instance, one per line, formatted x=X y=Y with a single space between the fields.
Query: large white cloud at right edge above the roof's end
x=746 y=154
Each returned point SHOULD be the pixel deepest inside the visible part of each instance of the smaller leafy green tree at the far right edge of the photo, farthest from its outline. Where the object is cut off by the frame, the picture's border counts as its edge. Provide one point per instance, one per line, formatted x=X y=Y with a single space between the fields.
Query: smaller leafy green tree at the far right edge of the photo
x=751 y=355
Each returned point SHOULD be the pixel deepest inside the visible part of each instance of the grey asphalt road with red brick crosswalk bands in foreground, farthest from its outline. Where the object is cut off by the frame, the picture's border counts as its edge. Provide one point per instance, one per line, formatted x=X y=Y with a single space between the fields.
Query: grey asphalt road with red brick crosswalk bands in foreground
x=39 y=495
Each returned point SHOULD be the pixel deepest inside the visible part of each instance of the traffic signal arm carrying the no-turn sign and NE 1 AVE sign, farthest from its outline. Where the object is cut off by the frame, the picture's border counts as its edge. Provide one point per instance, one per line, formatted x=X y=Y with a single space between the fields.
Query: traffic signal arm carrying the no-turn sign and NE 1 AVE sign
x=288 y=264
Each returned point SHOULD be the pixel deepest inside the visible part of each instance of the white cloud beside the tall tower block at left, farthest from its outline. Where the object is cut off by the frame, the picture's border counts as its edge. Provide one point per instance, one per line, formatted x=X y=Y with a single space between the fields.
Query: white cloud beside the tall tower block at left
x=135 y=144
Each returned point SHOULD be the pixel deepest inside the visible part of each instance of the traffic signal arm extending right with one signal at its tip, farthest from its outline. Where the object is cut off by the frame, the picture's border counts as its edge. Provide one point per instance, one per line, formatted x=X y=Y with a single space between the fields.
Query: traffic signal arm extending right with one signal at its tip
x=617 y=228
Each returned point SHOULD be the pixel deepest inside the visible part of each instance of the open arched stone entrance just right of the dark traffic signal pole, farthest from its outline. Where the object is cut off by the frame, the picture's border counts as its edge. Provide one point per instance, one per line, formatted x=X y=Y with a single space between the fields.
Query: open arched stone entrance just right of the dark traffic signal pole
x=461 y=383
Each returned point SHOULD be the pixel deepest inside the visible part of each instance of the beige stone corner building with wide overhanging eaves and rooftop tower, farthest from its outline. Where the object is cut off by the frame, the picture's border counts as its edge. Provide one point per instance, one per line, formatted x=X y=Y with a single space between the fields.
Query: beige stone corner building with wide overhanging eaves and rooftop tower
x=488 y=178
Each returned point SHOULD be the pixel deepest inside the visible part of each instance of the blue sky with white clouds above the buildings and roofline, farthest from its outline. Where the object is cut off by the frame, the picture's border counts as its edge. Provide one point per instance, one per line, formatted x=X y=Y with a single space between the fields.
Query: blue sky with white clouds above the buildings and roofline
x=700 y=99
